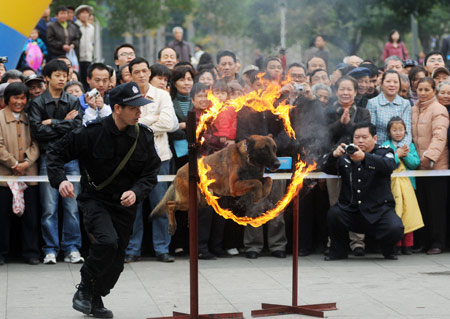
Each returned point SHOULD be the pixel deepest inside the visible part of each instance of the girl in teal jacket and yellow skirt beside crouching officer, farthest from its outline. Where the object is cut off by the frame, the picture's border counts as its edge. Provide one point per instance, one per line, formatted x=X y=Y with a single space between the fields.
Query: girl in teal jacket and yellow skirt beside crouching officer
x=406 y=204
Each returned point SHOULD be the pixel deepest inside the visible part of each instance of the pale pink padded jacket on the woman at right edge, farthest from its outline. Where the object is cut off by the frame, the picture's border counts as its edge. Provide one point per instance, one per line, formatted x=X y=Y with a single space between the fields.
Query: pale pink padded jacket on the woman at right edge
x=429 y=129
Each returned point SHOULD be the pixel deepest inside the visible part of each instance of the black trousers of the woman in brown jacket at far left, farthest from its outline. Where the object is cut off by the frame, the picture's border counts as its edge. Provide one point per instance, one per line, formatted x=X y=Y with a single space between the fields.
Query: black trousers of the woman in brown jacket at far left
x=29 y=222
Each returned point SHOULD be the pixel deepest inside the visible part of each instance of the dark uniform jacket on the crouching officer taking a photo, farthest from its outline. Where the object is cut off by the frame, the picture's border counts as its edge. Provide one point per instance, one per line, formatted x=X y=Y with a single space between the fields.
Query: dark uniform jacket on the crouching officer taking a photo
x=366 y=186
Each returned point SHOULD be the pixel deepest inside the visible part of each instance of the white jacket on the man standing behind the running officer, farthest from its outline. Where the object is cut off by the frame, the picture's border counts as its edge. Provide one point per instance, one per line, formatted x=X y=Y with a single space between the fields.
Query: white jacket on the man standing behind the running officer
x=160 y=117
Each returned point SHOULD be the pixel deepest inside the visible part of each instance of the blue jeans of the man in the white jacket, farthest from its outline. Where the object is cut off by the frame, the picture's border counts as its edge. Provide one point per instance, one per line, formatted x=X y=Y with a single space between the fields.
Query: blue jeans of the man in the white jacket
x=160 y=225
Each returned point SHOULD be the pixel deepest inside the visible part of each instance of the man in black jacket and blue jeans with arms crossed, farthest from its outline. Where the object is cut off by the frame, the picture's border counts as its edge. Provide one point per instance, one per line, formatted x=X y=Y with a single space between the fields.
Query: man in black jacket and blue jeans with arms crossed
x=52 y=115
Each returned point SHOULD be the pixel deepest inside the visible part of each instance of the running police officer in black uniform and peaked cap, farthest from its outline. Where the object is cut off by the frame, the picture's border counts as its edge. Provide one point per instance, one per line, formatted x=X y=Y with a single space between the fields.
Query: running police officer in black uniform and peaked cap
x=119 y=166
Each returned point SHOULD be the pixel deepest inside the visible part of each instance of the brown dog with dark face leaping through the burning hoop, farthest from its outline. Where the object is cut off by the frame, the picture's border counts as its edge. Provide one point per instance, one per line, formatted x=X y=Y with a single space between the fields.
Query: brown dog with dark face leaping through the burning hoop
x=238 y=170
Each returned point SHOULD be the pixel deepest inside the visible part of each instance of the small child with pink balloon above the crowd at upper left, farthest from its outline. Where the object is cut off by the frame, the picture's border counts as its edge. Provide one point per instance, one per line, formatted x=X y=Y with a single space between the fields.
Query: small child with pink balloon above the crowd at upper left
x=34 y=52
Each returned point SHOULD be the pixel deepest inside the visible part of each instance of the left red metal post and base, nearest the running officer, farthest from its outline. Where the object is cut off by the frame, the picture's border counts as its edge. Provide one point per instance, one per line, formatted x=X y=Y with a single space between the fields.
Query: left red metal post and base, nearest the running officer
x=193 y=232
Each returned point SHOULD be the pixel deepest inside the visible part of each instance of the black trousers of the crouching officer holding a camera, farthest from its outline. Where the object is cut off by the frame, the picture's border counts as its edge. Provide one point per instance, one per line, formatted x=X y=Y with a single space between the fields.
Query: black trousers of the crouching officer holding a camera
x=388 y=230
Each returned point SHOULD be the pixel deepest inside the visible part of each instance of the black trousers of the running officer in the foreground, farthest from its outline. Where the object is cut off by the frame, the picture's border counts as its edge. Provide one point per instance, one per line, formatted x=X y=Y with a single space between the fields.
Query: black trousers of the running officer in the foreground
x=109 y=226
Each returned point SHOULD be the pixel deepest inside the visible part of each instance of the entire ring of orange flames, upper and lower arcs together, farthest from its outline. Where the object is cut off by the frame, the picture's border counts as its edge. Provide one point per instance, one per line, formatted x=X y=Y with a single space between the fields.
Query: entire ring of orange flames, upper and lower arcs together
x=260 y=101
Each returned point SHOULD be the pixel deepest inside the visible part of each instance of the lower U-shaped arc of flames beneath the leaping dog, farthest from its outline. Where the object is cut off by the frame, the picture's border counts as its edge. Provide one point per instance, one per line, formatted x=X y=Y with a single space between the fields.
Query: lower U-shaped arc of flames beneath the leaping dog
x=301 y=170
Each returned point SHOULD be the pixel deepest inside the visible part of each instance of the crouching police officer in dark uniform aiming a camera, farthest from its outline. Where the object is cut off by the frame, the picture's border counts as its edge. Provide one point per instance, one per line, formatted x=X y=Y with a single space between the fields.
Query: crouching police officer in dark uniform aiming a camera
x=366 y=204
